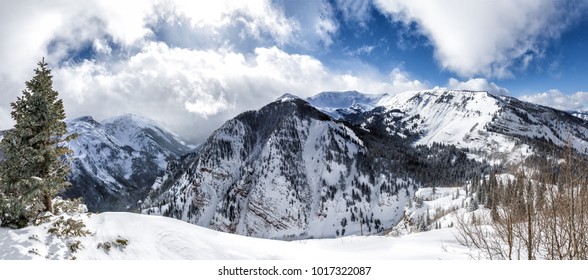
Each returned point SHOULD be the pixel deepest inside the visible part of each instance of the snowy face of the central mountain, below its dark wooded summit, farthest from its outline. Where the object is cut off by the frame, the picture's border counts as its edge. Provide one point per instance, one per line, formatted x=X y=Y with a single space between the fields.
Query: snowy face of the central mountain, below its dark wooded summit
x=295 y=183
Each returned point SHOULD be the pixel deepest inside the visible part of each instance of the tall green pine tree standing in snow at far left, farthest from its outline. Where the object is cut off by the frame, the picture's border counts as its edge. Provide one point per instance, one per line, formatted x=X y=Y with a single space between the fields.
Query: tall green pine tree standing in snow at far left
x=33 y=170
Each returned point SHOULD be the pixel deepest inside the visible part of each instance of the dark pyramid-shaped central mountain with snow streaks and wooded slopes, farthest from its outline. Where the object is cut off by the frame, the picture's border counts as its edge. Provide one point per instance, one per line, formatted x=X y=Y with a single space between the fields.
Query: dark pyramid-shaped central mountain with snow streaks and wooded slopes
x=289 y=171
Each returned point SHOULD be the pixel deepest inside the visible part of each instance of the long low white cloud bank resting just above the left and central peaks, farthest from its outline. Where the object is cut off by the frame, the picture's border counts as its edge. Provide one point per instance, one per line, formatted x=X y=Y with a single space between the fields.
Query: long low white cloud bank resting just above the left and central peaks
x=193 y=92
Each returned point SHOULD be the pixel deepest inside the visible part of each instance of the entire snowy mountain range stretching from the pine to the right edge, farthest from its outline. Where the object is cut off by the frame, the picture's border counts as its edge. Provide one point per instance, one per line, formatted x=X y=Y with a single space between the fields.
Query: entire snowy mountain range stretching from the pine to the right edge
x=335 y=164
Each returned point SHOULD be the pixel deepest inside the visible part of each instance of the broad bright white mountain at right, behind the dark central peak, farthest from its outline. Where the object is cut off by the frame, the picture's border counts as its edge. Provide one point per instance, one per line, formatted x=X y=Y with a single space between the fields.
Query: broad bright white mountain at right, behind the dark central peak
x=495 y=127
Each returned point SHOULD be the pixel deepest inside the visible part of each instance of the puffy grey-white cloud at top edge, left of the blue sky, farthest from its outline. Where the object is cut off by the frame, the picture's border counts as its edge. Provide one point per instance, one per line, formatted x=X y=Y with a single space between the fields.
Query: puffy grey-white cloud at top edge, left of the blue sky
x=230 y=24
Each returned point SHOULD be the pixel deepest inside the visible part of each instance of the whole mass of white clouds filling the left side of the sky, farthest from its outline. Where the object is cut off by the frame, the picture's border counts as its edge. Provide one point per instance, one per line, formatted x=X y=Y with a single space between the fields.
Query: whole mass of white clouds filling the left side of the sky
x=188 y=68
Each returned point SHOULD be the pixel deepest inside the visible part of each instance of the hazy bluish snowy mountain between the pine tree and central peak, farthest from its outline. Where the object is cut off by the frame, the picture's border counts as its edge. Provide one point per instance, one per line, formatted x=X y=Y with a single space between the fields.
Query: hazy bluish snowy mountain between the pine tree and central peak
x=115 y=161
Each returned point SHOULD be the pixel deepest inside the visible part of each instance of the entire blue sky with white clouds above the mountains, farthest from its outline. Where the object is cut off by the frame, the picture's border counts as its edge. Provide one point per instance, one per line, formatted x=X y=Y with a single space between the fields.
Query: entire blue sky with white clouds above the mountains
x=192 y=65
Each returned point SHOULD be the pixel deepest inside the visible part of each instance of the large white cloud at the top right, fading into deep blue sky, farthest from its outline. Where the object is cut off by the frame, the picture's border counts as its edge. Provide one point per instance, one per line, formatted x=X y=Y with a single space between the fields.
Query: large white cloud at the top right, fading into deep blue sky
x=487 y=38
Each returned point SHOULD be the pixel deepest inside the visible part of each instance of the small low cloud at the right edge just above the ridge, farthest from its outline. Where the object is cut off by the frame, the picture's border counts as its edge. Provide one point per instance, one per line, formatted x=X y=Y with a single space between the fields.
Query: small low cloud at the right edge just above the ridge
x=556 y=99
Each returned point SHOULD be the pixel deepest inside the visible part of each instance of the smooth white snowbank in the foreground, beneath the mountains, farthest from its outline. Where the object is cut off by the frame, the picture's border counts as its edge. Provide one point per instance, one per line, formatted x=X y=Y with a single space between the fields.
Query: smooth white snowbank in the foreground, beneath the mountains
x=153 y=237
